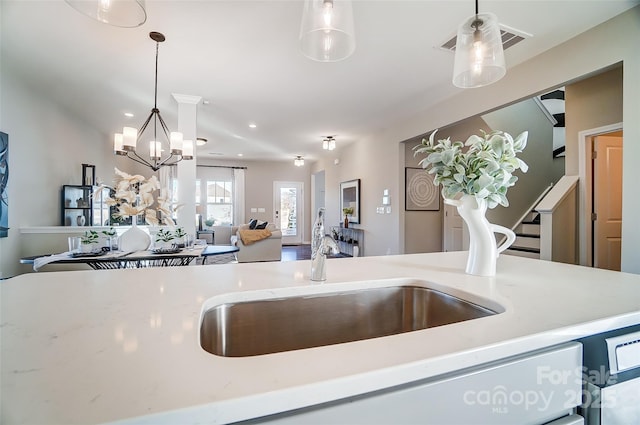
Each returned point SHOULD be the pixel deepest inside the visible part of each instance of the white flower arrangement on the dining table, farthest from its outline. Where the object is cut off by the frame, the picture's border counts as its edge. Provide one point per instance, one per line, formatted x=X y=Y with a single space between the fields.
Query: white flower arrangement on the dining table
x=134 y=196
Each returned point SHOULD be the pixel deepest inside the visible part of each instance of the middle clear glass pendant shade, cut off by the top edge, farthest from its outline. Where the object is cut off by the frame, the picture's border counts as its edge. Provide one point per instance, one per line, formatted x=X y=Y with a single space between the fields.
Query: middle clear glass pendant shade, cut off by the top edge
x=326 y=32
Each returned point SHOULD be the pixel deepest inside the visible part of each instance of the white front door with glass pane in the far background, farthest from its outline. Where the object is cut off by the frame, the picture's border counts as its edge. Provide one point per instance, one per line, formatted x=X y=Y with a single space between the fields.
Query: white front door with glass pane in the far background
x=288 y=210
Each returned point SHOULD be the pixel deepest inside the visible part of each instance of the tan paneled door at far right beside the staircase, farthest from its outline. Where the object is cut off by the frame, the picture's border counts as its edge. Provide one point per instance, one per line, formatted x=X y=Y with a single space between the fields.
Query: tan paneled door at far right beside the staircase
x=607 y=202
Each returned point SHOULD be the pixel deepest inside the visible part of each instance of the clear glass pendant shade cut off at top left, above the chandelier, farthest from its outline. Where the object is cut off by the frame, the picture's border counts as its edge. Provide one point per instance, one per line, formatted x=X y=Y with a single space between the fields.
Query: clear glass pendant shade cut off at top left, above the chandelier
x=119 y=13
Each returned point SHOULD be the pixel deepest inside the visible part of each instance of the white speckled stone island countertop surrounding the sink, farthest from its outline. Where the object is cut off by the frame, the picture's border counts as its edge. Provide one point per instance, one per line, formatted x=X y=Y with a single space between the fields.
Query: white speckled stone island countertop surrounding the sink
x=123 y=345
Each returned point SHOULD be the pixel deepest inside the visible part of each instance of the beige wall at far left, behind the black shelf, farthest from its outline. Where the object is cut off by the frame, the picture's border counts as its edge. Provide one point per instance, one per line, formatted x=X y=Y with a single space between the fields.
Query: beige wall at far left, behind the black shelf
x=47 y=146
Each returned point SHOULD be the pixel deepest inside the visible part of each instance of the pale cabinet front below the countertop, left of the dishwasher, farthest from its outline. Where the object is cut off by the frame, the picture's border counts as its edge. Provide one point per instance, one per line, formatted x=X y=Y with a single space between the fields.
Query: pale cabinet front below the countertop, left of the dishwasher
x=534 y=388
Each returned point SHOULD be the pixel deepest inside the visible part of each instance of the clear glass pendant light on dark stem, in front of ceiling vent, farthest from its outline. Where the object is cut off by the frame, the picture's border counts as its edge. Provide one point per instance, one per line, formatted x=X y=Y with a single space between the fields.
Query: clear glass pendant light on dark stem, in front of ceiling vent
x=479 y=57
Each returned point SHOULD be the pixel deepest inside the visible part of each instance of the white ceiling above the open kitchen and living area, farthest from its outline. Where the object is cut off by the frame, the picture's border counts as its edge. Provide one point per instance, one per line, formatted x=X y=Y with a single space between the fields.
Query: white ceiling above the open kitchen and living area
x=242 y=58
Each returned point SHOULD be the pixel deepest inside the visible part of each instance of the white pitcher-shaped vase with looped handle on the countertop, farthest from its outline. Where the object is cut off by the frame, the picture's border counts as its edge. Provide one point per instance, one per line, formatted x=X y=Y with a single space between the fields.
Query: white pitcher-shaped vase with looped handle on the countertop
x=483 y=252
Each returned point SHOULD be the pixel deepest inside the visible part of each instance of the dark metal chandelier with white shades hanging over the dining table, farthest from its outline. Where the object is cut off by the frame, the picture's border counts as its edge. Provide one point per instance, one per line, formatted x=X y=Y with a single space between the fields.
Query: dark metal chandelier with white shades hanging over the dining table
x=125 y=143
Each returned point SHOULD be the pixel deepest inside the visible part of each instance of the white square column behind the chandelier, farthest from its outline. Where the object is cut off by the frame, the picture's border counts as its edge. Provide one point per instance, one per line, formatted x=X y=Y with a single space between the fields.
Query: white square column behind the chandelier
x=187 y=125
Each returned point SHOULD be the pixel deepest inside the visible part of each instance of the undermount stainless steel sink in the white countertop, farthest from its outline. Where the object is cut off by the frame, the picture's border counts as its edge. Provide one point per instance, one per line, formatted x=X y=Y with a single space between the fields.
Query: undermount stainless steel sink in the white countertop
x=251 y=328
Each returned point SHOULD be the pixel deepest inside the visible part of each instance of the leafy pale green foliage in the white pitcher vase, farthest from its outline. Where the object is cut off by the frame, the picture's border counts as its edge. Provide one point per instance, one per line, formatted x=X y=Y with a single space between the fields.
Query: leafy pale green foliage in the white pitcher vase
x=484 y=170
